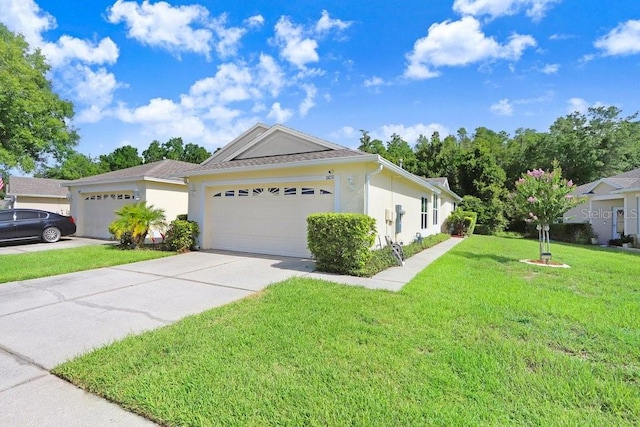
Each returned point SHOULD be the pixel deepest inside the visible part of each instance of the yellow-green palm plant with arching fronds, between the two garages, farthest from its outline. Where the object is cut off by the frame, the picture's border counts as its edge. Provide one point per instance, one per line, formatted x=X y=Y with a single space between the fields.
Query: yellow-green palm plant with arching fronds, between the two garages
x=136 y=220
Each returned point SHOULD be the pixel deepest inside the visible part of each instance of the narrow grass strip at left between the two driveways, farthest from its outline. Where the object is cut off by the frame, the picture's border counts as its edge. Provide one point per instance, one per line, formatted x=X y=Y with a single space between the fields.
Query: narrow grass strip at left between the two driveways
x=32 y=265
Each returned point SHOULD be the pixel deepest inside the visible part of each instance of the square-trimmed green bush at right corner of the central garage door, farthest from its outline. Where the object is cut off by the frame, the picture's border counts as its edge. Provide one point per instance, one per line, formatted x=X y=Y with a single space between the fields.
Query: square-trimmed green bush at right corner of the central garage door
x=341 y=242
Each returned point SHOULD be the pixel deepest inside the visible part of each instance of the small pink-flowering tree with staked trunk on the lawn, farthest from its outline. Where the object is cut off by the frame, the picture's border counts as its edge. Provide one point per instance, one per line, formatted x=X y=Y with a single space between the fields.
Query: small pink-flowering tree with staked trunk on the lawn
x=541 y=198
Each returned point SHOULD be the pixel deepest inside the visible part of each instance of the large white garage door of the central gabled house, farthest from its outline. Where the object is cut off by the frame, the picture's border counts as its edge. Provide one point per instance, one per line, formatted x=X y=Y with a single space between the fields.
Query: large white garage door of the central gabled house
x=266 y=219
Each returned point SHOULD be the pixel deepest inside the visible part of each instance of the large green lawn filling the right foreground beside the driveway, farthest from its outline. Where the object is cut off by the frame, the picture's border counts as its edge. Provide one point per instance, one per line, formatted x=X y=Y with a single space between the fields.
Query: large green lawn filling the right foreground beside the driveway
x=477 y=338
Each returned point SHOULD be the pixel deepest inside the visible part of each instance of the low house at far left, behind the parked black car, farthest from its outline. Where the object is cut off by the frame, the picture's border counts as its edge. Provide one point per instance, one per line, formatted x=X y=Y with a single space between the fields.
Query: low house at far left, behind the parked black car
x=38 y=193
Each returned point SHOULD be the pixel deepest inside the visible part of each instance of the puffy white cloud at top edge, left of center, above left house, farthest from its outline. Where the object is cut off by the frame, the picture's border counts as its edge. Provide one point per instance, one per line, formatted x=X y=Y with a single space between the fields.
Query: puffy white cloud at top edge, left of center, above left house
x=160 y=24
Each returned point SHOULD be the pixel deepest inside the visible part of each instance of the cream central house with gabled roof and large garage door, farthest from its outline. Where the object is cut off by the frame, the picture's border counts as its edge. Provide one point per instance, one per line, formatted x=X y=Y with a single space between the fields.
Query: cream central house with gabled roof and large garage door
x=255 y=193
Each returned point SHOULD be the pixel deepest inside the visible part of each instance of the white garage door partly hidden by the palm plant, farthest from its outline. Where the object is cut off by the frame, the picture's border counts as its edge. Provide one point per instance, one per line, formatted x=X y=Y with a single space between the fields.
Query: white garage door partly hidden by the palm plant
x=98 y=212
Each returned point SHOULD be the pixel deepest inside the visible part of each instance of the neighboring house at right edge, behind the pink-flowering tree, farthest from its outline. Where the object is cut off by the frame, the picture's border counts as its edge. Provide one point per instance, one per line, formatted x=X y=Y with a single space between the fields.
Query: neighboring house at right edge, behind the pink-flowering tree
x=611 y=207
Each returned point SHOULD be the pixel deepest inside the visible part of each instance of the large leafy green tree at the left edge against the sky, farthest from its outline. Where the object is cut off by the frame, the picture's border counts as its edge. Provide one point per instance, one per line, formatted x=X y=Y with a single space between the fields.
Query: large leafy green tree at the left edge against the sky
x=34 y=121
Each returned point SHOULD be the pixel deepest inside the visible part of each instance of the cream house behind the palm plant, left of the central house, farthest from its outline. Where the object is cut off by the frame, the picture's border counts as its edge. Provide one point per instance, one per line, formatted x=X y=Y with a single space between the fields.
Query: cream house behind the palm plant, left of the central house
x=94 y=199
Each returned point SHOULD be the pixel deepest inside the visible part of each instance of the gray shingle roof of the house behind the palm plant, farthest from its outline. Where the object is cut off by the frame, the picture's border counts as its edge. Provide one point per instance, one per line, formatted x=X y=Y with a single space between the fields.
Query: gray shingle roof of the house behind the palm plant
x=163 y=169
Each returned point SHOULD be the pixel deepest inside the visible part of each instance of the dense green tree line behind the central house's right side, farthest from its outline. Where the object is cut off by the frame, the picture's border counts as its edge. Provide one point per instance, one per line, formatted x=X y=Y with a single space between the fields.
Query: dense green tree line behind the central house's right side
x=483 y=167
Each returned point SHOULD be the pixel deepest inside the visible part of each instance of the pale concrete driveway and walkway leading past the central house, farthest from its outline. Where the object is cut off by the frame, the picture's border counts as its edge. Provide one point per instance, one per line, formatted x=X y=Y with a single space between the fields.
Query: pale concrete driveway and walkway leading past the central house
x=44 y=322
